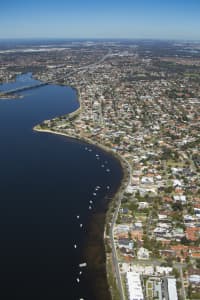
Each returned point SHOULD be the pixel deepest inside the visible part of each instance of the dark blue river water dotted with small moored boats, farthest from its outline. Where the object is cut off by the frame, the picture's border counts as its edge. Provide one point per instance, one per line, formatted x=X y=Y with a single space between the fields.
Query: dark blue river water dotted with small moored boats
x=45 y=182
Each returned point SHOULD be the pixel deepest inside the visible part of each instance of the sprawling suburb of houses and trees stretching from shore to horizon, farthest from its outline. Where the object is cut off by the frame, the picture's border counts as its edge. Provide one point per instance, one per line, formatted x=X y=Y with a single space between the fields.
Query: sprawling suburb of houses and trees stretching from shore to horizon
x=141 y=101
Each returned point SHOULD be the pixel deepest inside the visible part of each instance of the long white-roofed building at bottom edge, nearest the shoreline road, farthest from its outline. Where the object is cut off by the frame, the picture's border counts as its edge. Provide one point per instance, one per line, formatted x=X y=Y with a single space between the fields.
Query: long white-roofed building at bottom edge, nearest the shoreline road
x=134 y=286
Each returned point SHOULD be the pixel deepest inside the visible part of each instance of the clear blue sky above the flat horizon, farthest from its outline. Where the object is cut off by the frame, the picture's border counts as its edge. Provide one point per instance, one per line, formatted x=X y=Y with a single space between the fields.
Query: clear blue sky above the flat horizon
x=159 y=19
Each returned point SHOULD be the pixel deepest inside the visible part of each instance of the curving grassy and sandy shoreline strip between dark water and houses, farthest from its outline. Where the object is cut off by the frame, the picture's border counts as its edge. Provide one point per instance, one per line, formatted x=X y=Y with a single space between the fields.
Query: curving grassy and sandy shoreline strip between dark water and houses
x=113 y=279
